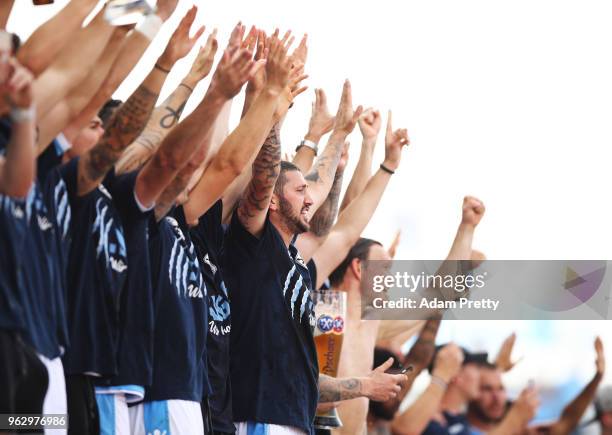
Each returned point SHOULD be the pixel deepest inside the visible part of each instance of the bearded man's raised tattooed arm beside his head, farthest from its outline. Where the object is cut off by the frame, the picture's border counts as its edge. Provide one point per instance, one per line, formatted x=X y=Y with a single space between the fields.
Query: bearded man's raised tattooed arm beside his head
x=266 y=169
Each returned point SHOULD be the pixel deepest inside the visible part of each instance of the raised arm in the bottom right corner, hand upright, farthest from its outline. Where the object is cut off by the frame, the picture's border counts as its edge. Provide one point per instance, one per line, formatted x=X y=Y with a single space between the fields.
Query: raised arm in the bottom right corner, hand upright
x=572 y=413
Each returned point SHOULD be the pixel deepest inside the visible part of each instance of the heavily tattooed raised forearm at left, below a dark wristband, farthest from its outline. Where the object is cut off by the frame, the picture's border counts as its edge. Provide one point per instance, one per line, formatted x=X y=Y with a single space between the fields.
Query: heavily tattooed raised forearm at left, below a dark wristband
x=122 y=130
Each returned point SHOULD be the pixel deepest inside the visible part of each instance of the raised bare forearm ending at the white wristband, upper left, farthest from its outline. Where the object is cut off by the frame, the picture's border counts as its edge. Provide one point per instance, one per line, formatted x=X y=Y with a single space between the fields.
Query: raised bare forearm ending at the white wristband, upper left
x=68 y=108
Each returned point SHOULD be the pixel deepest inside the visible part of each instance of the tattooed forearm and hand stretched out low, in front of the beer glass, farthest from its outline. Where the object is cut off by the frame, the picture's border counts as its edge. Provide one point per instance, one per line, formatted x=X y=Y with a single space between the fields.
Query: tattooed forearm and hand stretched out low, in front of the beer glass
x=378 y=386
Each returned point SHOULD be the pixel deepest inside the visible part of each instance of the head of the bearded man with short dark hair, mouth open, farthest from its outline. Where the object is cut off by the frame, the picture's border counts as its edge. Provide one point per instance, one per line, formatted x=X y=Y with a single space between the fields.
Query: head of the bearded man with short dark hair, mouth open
x=289 y=211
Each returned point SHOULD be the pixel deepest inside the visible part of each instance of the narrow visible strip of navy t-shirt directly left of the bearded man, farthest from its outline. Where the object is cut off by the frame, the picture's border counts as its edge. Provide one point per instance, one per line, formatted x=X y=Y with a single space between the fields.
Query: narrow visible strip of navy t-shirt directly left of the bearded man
x=207 y=237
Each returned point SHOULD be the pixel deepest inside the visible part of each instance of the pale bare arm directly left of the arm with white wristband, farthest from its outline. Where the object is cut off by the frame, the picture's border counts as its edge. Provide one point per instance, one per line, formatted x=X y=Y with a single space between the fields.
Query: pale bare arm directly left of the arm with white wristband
x=72 y=64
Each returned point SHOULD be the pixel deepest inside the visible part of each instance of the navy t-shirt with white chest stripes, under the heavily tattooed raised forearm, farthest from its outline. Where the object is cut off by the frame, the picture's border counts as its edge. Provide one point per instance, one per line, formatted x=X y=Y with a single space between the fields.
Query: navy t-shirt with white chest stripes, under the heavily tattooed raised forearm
x=97 y=269
